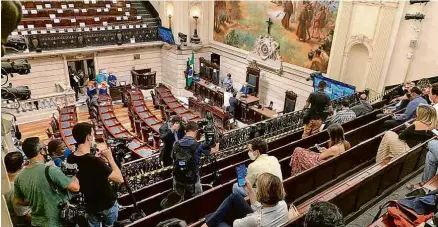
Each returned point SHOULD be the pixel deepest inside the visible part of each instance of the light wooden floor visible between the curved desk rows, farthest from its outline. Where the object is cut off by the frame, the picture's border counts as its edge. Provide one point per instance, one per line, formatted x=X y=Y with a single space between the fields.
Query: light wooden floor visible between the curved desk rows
x=38 y=128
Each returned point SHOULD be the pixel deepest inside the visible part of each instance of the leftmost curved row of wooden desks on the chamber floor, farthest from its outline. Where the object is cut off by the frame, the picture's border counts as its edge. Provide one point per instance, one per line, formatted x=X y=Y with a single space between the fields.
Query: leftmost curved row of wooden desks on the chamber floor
x=67 y=119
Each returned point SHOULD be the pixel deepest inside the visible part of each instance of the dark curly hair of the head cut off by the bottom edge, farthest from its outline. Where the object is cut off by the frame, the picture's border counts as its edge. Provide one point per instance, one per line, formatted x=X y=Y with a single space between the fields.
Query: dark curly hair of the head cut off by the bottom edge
x=324 y=214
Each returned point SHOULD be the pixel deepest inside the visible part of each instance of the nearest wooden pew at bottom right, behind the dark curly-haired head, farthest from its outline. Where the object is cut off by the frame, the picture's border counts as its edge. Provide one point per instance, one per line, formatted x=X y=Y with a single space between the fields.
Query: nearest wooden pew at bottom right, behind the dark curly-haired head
x=362 y=190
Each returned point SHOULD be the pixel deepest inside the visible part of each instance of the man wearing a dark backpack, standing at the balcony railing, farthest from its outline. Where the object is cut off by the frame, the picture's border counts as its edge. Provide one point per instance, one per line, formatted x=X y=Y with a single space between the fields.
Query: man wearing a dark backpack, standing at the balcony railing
x=186 y=154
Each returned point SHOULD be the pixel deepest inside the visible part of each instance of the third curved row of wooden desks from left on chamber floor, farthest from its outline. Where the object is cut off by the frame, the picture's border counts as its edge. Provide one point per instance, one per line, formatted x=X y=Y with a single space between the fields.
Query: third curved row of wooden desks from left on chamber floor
x=144 y=121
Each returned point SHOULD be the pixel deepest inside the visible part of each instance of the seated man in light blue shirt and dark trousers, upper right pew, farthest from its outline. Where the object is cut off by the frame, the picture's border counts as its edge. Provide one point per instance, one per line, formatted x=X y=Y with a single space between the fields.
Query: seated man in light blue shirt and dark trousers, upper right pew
x=409 y=113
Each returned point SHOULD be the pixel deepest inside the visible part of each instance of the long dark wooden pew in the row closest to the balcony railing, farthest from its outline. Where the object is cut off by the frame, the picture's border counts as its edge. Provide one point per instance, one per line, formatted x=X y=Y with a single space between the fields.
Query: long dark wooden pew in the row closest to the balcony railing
x=277 y=149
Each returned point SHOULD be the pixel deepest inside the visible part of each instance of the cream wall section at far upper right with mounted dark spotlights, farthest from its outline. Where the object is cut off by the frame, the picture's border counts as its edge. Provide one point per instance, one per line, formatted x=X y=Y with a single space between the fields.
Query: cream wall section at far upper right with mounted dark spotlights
x=424 y=62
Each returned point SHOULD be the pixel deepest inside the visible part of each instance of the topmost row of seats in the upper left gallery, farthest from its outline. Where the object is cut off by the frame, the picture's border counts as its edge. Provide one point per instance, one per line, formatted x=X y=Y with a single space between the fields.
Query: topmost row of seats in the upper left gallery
x=73 y=4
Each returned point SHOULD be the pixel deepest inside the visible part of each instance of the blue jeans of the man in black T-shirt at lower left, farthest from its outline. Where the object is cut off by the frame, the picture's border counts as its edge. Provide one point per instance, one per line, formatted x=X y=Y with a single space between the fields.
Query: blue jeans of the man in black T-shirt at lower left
x=106 y=217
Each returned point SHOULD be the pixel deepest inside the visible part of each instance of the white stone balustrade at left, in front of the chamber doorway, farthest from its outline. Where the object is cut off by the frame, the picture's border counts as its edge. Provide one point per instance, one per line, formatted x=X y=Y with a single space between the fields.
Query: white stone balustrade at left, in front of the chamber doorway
x=38 y=108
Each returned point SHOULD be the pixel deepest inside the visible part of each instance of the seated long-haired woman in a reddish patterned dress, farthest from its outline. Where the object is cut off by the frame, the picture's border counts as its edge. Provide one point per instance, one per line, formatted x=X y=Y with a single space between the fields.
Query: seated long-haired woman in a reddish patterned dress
x=303 y=159
